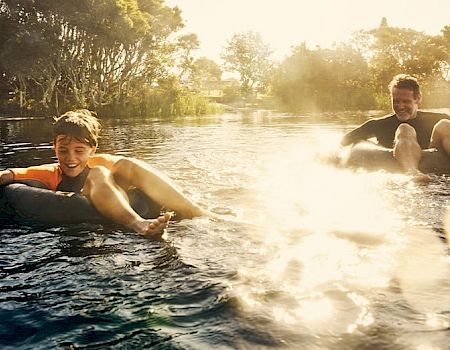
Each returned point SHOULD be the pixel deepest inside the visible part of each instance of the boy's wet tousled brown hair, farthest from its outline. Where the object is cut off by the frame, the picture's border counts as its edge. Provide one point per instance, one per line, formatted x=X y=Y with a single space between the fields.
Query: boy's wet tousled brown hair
x=81 y=124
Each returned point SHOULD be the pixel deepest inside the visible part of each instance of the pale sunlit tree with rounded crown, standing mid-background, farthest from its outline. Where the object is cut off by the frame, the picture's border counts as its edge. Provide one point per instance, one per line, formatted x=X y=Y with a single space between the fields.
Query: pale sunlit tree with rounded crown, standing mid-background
x=247 y=54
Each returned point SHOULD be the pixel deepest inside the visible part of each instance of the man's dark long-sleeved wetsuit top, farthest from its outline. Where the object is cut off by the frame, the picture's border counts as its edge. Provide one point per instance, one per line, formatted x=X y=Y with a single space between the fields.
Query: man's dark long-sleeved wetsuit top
x=383 y=129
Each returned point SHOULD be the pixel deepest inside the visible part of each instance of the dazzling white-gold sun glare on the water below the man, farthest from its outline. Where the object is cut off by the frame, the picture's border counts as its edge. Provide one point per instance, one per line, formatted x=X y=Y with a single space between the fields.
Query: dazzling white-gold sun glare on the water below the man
x=331 y=244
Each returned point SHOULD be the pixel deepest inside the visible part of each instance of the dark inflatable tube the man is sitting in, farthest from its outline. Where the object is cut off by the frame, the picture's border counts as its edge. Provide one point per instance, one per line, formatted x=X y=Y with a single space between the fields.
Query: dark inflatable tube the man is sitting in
x=372 y=157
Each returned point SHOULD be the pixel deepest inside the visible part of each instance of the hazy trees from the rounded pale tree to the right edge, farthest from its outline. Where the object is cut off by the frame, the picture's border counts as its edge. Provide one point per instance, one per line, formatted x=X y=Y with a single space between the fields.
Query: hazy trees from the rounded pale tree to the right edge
x=350 y=76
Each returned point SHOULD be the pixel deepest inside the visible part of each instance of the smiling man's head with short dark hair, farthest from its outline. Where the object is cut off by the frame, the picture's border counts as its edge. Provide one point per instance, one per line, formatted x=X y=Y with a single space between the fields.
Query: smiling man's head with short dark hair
x=405 y=96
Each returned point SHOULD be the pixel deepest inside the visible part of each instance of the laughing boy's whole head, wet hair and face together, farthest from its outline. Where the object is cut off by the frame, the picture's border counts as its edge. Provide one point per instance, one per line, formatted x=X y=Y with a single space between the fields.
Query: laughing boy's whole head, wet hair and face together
x=75 y=140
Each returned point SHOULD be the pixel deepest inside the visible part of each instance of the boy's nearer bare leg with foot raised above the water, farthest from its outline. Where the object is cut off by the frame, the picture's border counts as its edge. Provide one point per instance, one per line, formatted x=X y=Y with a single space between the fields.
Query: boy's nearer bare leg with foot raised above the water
x=112 y=202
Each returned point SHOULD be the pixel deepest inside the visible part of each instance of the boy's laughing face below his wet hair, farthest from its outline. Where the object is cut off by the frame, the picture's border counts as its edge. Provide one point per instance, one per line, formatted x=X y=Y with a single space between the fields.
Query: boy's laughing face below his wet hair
x=72 y=154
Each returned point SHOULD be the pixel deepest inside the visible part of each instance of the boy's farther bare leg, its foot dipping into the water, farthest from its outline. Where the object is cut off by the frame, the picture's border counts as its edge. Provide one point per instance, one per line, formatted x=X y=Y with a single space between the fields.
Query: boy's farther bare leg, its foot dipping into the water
x=132 y=172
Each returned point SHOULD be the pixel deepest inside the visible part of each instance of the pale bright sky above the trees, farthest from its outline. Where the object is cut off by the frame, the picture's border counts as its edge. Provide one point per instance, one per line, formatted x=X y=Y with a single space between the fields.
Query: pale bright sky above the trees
x=287 y=23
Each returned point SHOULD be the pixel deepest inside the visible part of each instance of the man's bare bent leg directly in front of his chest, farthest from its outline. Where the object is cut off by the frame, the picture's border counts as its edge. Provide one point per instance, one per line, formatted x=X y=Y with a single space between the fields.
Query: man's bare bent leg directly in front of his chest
x=407 y=150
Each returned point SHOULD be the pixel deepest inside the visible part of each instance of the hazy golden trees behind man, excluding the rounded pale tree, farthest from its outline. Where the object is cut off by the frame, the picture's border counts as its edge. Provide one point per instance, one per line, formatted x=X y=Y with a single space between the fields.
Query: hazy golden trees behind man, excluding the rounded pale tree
x=356 y=75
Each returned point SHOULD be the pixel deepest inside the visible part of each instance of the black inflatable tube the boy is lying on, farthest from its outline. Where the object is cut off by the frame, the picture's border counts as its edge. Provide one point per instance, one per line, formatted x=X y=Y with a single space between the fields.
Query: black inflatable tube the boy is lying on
x=19 y=201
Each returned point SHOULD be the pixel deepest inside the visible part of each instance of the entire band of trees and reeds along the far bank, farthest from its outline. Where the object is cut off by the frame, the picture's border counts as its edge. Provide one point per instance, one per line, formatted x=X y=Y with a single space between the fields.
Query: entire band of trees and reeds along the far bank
x=126 y=57
